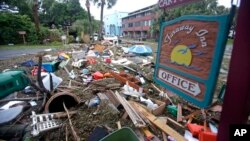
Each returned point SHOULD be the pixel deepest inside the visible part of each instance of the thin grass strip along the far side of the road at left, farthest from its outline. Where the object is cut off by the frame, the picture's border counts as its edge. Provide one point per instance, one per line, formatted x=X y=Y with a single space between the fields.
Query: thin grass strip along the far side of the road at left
x=13 y=47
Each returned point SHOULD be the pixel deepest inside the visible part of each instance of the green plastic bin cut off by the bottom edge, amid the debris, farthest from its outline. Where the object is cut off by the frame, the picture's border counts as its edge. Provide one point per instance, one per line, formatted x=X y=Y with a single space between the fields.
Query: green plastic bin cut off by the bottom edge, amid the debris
x=123 y=134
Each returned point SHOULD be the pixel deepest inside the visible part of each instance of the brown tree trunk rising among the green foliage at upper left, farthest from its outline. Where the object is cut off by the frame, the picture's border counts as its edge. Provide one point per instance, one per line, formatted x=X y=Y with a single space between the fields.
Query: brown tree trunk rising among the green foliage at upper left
x=34 y=5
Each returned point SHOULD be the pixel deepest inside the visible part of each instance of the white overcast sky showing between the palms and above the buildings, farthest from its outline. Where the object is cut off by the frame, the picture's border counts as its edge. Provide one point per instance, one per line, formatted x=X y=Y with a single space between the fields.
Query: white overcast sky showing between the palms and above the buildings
x=131 y=5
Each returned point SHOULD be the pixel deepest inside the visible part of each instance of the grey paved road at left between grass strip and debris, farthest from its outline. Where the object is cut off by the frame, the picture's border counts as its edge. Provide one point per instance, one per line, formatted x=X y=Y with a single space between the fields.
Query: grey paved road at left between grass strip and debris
x=6 y=54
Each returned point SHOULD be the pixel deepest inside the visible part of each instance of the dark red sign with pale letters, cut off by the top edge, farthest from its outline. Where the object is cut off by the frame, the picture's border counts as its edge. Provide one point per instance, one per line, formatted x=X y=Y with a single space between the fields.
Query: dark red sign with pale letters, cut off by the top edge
x=173 y=3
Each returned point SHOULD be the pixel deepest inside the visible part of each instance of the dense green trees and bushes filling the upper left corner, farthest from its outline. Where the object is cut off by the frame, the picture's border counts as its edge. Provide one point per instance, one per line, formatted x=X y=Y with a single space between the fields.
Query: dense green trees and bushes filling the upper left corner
x=60 y=14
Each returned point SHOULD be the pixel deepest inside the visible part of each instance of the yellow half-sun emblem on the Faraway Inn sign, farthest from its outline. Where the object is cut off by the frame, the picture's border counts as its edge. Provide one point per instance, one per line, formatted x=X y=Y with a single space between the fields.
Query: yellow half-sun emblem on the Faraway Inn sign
x=181 y=55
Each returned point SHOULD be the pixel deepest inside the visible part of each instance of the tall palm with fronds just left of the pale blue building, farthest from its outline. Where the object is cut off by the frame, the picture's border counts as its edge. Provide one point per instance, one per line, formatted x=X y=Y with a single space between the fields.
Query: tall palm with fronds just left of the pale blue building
x=102 y=3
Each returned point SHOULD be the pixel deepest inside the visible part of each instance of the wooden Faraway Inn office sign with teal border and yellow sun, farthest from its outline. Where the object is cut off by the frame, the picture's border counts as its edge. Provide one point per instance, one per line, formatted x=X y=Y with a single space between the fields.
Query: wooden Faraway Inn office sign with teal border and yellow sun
x=189 y=56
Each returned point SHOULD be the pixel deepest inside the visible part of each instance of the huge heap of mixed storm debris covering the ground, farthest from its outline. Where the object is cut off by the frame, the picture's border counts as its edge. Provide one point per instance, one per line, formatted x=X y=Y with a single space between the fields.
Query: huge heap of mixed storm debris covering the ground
x=97 y=92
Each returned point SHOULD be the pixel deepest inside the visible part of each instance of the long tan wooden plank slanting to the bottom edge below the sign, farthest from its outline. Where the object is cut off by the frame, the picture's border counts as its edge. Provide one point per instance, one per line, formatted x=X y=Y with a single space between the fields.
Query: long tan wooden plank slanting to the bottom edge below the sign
x=160 y=124
